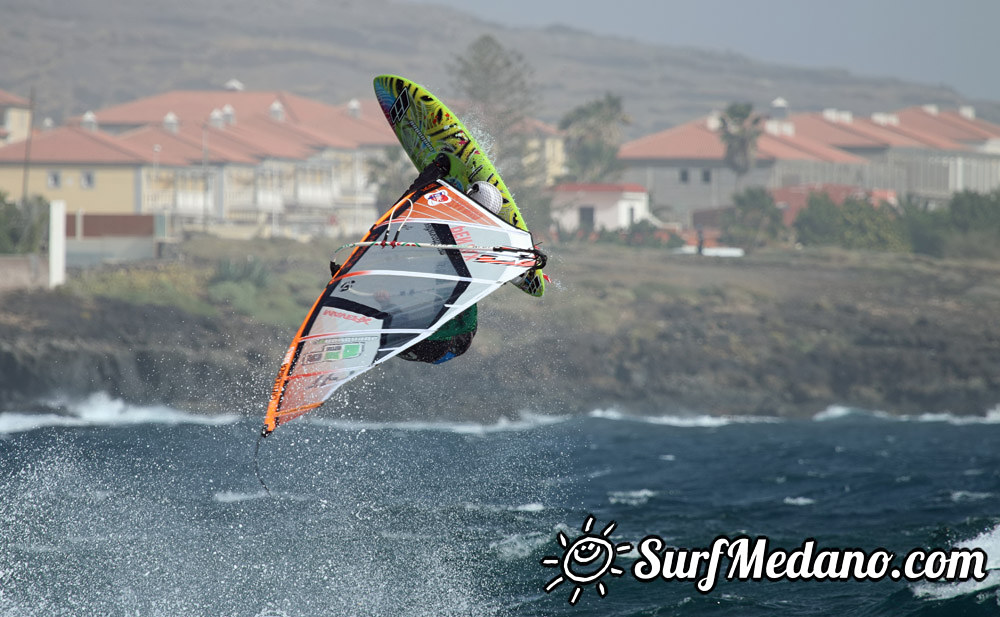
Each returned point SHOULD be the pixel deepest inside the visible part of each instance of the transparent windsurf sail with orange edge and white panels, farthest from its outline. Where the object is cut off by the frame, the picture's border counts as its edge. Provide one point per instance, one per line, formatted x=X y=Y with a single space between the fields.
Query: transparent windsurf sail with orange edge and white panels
x=434 y=254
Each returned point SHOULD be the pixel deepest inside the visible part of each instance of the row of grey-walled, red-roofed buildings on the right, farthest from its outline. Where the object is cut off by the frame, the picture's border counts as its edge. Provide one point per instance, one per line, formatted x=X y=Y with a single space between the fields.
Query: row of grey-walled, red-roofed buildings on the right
x=920 y=150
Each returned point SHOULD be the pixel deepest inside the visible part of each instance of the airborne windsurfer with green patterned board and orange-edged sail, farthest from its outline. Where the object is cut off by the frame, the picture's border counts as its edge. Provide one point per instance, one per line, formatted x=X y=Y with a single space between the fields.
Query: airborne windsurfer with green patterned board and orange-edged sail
x=410 y=286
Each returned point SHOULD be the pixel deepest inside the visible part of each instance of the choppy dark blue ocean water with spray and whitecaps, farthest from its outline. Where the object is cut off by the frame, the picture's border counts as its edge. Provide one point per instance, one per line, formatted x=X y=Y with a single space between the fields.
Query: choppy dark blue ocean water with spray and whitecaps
x=122 y=510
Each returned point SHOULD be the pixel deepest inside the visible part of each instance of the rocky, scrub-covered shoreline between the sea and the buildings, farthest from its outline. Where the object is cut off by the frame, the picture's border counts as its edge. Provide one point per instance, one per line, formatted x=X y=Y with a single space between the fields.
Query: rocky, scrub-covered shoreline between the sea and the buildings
x=636 y=330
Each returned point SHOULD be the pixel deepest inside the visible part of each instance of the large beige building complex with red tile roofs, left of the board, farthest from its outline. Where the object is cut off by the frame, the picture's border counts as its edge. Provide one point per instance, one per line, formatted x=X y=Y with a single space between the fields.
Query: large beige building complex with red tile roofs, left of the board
x=213 y=154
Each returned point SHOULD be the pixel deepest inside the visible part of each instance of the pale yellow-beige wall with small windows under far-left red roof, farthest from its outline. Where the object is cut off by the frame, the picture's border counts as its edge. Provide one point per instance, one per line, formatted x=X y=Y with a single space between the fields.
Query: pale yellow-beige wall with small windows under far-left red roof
x=113 y=190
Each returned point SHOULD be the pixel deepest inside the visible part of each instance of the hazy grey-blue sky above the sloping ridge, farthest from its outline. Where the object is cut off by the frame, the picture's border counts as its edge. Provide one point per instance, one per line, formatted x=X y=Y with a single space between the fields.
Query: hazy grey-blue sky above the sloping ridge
x=952 y=42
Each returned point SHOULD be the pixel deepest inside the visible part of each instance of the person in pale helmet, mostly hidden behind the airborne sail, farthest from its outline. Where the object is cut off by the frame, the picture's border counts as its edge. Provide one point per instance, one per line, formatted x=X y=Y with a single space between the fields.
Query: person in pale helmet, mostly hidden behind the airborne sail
x=455 y=337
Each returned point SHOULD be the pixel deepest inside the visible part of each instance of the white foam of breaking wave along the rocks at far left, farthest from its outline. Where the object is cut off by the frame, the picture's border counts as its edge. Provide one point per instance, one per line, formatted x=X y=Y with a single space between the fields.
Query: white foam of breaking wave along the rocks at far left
x=100 y=409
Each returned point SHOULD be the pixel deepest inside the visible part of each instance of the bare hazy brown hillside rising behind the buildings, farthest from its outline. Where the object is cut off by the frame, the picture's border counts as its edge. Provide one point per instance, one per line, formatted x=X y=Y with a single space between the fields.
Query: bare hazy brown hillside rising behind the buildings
x=93 y=53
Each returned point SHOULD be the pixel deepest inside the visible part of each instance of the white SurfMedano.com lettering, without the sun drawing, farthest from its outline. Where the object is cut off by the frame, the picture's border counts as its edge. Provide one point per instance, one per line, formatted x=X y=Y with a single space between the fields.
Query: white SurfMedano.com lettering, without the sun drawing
x=754 y=559
